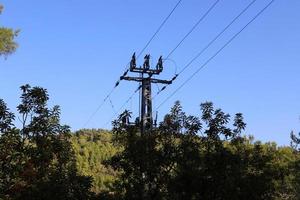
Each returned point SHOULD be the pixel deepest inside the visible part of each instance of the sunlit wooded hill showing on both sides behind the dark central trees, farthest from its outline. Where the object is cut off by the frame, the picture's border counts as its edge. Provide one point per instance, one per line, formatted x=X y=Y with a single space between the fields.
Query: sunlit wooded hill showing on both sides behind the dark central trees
x=95 y=146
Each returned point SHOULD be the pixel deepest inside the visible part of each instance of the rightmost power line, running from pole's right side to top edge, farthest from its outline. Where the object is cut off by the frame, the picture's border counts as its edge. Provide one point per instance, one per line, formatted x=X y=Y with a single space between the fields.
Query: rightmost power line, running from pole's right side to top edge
x=218 y=52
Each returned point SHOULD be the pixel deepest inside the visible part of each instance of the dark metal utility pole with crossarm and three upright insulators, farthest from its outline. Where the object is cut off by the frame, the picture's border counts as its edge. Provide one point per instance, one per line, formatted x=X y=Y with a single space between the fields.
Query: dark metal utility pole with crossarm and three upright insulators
x=145 y=79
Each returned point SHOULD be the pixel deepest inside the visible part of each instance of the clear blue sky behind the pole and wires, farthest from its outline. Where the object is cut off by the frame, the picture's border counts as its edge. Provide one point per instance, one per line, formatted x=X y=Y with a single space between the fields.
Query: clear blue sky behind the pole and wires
x=78 y=49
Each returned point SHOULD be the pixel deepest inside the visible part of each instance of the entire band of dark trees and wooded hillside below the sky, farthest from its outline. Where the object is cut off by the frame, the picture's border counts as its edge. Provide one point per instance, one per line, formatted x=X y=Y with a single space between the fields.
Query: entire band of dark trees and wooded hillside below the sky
x=185 y=157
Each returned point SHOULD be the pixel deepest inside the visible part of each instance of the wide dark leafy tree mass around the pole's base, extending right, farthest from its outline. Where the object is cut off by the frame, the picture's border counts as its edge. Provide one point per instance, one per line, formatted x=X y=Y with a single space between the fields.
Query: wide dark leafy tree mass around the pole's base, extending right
x=190 y=157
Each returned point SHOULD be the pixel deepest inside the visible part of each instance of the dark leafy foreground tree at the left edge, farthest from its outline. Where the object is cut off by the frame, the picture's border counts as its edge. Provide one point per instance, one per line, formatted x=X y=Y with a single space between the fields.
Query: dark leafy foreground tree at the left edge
x=37 y=160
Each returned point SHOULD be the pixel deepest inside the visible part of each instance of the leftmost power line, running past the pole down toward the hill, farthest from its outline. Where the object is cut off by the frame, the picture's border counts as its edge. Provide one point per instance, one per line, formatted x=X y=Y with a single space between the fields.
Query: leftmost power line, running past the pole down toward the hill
x=126 y=68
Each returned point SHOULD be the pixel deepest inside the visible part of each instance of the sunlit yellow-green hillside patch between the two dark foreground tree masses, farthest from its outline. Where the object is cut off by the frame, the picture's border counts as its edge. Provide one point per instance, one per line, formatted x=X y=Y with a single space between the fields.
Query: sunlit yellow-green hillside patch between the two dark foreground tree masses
x=92 y=147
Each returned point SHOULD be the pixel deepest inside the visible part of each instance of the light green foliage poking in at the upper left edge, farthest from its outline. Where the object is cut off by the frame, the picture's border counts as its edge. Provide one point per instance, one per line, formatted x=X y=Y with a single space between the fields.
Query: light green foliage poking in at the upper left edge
x=7 y=39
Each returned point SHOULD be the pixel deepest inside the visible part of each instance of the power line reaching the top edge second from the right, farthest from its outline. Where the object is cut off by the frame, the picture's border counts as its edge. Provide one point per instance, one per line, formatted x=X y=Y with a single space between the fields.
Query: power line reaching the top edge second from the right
x=210 y=43
